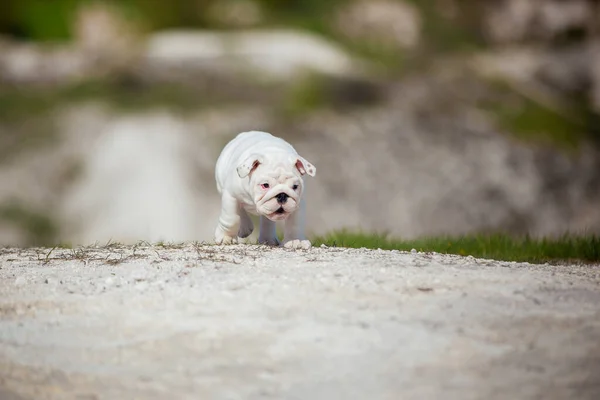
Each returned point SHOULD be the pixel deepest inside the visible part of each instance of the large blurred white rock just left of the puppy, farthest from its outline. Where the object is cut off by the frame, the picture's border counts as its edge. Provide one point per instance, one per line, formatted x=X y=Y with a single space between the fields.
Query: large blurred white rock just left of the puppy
x=134 y=184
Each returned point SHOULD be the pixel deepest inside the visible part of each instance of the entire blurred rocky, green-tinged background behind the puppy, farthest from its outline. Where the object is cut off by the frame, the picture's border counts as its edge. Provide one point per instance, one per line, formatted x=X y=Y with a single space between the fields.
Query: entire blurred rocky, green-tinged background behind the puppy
x=422 y=117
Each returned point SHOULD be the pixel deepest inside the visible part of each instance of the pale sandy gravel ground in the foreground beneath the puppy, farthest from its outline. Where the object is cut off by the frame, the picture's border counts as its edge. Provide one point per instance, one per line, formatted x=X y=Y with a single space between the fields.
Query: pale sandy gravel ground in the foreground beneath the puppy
x=248 y=322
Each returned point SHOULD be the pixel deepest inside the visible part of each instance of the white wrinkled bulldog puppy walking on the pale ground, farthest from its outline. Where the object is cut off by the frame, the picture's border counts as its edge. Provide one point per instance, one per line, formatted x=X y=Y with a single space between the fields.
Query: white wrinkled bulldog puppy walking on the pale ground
x=261 y=174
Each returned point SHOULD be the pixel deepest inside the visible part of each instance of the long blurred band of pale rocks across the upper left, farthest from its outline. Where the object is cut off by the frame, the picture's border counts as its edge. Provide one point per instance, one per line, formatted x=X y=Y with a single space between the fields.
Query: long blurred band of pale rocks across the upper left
x=104 y=50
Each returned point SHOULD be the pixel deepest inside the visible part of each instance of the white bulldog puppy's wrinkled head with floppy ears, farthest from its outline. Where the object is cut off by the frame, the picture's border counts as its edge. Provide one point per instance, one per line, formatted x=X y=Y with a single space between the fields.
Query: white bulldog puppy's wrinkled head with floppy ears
x=276 y=182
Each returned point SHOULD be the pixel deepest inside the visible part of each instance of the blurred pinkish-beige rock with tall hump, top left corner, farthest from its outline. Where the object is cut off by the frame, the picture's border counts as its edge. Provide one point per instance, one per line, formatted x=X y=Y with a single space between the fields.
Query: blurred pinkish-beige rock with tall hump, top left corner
x=104 y=43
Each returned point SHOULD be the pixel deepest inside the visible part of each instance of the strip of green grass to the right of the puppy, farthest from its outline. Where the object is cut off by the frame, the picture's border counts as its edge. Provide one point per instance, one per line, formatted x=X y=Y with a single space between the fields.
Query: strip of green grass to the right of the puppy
x=568 y=248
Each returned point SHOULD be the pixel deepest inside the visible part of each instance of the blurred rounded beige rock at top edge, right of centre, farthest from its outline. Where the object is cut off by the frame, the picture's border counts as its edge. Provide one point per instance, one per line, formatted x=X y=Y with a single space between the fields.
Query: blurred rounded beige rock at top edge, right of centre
x=387 y=23
